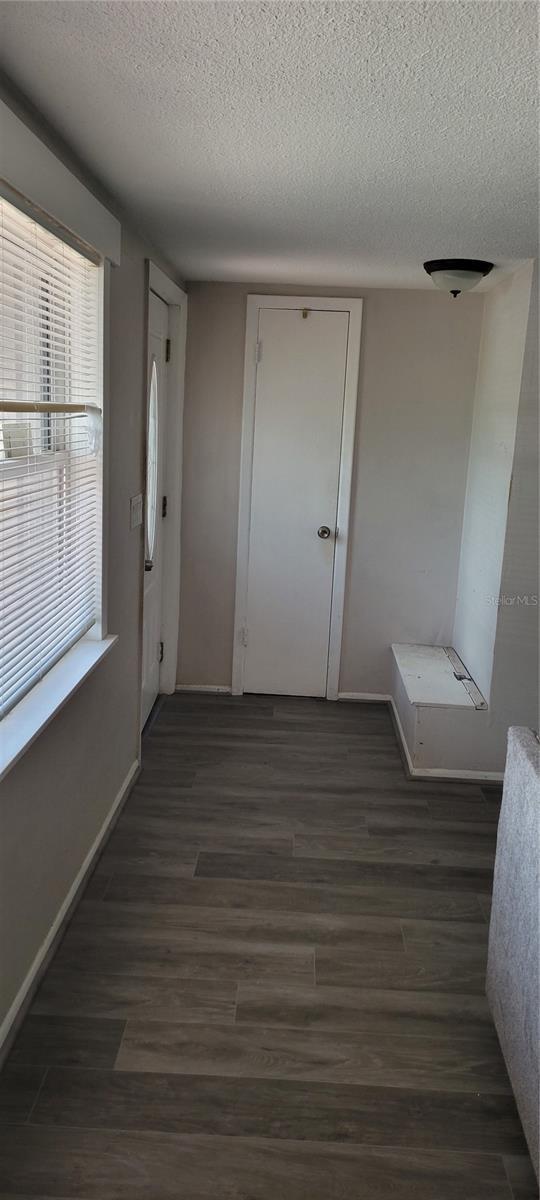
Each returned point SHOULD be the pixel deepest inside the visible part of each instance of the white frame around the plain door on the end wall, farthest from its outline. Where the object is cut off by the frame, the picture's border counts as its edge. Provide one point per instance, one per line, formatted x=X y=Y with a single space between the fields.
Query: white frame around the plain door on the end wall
x=320 y=304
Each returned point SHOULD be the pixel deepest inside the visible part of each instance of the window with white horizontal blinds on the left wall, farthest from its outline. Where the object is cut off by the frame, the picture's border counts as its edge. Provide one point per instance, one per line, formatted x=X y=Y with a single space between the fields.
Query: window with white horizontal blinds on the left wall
x=51 y=422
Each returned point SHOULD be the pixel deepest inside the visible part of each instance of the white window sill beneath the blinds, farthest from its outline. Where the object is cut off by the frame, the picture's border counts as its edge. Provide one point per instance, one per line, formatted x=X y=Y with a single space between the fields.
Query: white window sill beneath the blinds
x=23 y=725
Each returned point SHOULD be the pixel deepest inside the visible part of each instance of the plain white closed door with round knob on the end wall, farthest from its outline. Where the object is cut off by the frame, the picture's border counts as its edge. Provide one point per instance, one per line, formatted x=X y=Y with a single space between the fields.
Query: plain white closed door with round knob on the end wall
x=297 y=448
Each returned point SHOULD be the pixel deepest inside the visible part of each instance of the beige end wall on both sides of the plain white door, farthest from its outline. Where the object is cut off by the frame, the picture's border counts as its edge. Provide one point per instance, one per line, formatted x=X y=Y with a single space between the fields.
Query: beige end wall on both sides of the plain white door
x=416 y=399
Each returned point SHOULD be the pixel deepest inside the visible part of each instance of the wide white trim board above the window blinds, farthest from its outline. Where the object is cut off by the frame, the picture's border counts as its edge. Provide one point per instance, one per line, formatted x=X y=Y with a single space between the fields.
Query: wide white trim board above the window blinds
x=34 y=172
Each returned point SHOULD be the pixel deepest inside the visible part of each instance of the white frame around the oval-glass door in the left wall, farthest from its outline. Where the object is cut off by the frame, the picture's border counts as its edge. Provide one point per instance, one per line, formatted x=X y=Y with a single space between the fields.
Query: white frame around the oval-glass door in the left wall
x=177 y=303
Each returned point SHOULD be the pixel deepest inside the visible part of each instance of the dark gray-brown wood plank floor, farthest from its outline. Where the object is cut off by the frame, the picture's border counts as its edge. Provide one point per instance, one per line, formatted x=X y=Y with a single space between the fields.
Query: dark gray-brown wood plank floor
x=273 y=988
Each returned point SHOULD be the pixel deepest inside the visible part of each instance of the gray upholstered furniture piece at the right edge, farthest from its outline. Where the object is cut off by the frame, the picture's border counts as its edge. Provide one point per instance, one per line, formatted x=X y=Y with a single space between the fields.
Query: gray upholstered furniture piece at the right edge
x=513 y=973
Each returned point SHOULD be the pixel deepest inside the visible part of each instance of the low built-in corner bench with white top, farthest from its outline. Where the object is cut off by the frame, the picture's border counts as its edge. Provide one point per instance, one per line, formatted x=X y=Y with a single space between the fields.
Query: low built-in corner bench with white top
x=434 y=698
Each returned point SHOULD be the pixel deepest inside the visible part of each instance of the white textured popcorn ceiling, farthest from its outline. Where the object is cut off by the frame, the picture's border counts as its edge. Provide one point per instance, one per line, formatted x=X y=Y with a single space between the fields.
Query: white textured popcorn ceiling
x=302 y=142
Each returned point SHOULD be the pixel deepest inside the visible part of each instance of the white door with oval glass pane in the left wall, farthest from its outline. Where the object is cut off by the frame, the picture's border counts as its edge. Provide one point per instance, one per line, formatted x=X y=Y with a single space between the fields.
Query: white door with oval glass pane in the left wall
x=157 y=439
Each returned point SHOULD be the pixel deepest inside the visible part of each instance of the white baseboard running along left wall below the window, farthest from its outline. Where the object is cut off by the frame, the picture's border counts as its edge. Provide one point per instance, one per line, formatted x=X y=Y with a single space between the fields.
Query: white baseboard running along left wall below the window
x=49 y=946
